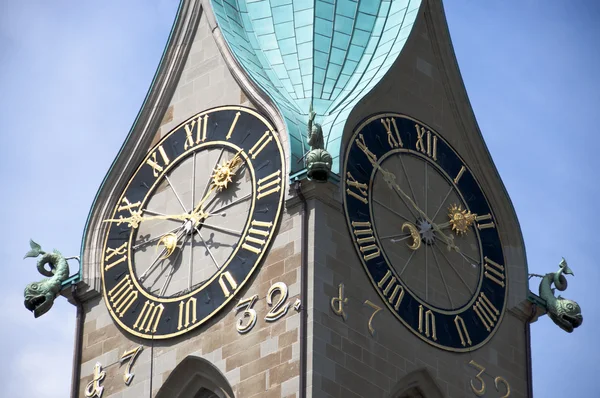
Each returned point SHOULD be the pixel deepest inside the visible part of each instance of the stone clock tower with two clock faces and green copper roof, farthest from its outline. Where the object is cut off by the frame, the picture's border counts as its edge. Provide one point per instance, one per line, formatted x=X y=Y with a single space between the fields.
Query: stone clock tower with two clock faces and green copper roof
x=304 y=207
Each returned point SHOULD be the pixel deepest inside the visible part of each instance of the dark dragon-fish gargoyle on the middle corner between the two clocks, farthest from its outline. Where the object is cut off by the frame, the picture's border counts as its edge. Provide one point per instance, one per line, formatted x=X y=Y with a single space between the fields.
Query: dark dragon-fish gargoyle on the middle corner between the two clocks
x=318 y=160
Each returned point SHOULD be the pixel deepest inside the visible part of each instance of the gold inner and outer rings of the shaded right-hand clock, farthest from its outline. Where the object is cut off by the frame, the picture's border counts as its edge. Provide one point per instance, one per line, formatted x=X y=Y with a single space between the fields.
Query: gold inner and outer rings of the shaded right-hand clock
x=350 y=143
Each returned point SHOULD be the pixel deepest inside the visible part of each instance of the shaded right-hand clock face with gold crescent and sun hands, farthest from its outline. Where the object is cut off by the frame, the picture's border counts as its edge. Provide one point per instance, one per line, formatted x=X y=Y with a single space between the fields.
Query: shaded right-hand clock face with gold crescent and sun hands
x=424 y=232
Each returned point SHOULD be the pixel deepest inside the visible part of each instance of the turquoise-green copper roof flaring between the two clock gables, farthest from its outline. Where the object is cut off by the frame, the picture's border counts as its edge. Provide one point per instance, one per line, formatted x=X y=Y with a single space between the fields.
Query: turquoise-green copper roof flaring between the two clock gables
x=330 y=52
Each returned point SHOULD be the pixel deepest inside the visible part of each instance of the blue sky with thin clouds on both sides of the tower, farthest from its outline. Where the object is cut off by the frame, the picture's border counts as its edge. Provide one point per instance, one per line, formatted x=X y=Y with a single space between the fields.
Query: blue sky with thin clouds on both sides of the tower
x=74 y=74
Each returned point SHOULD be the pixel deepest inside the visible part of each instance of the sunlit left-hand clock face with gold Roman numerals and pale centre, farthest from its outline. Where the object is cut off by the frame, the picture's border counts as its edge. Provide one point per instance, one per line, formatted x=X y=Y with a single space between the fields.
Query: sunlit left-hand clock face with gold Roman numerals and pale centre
x=193 y=223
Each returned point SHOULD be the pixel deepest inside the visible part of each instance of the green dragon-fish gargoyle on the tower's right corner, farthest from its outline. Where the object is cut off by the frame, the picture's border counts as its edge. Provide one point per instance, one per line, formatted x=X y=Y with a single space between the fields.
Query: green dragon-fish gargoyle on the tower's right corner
x=564 y=312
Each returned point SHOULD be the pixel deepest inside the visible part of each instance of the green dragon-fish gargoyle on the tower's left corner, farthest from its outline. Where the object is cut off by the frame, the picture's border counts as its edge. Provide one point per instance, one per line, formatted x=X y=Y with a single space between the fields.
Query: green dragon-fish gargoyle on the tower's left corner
x=39 y=296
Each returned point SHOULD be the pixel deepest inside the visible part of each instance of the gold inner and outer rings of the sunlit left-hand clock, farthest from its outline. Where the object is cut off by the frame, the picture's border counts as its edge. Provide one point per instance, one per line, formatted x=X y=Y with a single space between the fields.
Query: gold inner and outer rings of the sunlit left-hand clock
x=179 y=159
